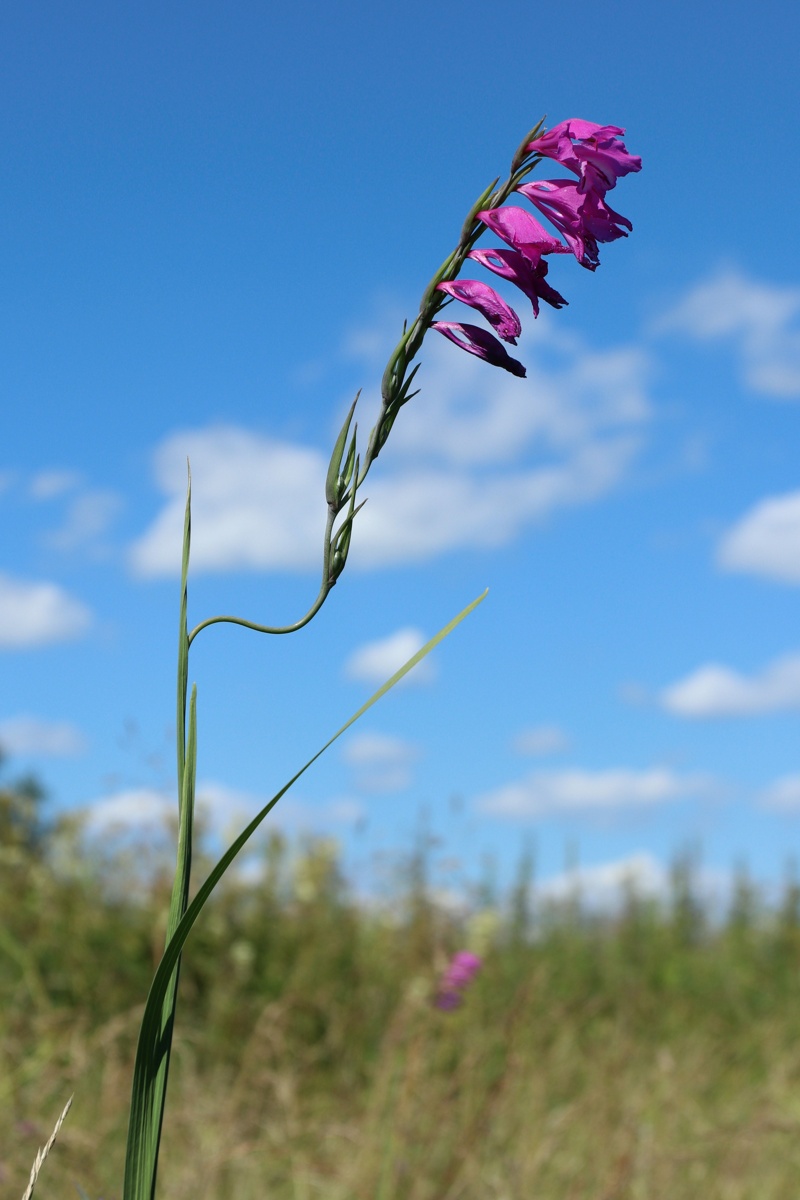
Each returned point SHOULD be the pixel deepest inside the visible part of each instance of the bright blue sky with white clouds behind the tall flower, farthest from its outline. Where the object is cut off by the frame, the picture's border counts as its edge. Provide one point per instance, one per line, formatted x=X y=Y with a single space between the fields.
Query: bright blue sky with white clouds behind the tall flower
x=214 y=223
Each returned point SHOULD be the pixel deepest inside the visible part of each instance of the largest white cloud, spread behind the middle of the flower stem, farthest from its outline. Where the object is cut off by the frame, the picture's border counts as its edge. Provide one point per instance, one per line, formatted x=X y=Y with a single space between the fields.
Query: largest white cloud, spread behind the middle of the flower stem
x=478 y=459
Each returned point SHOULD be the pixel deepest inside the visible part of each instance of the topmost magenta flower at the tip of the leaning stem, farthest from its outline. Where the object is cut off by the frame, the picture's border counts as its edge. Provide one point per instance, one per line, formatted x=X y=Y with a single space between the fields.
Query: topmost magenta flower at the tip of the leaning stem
x=596 y=153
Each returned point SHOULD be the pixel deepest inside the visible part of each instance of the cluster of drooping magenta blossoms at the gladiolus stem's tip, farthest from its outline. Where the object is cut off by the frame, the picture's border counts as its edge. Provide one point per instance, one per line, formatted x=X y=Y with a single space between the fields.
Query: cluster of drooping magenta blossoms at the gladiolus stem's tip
x=578 y=209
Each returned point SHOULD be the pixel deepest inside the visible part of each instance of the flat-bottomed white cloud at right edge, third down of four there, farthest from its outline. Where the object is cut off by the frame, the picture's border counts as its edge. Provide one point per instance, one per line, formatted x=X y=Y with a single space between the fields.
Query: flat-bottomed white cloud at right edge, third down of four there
x=717 y=691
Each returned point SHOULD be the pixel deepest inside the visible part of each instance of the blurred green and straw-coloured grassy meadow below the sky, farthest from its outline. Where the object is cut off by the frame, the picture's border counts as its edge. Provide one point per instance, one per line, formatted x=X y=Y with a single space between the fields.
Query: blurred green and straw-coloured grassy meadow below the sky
x=648 y=1053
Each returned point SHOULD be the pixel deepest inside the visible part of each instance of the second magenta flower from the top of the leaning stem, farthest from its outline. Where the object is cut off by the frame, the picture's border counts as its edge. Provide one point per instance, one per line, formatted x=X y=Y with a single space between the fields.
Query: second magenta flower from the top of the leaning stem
x=585 y=219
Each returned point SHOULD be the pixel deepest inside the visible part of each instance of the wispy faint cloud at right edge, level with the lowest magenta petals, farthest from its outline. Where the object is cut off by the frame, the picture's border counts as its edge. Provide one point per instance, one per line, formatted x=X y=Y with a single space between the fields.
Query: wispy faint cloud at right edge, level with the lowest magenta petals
x=760 y=319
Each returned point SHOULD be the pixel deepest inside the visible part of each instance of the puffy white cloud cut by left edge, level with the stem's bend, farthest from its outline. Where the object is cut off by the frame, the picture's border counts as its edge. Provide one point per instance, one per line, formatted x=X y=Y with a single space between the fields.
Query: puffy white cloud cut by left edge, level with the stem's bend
x=39 y=615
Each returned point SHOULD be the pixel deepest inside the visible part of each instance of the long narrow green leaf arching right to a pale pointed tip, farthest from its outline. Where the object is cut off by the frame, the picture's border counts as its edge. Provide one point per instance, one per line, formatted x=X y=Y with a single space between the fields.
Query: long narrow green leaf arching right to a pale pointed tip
x=140 y=1165
